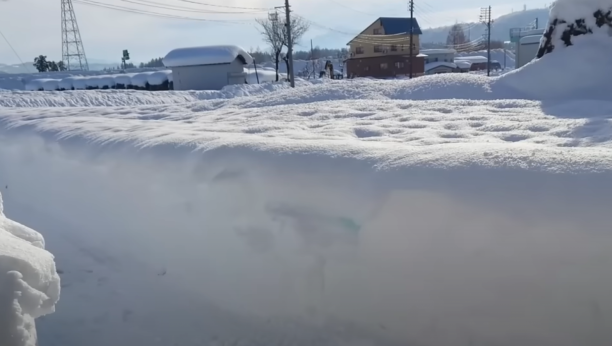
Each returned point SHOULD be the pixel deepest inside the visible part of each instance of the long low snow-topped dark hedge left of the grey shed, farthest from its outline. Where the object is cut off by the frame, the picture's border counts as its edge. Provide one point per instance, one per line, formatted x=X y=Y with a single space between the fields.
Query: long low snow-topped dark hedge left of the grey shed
x=157 y=80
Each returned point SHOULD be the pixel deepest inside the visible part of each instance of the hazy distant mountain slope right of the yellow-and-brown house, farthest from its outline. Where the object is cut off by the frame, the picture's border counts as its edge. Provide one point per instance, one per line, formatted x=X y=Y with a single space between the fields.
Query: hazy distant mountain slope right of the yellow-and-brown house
x=500 y=29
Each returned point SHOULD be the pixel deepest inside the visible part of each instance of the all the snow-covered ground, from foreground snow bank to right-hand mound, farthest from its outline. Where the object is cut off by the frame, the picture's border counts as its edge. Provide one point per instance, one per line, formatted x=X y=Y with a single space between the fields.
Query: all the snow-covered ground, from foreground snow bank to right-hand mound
x=448 y=210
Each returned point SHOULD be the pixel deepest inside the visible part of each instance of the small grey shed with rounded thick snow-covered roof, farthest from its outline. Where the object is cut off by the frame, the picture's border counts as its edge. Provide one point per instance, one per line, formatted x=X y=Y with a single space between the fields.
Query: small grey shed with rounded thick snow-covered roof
x=207 y=68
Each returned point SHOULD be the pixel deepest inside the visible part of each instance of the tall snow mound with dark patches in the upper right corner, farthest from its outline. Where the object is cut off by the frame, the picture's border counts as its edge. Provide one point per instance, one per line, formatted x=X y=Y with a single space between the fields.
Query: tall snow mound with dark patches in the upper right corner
x=573 y=59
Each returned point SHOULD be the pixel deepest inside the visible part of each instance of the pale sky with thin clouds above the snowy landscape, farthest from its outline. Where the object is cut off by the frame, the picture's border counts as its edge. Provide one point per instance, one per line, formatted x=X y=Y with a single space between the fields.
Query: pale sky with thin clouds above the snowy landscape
x=33 y=27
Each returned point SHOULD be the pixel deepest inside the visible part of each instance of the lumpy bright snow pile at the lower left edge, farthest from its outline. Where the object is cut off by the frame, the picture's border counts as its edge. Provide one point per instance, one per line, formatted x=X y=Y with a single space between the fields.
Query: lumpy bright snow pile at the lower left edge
x=29 y=284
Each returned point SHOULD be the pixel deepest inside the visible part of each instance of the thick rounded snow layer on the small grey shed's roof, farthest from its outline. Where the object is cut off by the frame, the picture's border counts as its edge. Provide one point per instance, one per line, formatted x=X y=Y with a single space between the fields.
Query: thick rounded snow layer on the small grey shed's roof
x=207 y=55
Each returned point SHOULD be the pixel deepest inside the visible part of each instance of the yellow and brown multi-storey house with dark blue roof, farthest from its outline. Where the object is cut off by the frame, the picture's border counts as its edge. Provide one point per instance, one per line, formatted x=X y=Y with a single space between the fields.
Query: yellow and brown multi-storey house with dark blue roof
x=382 y=50
